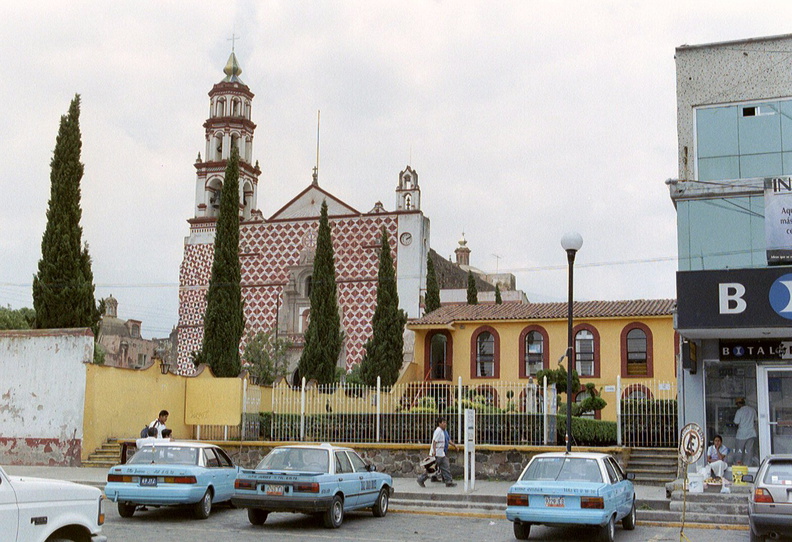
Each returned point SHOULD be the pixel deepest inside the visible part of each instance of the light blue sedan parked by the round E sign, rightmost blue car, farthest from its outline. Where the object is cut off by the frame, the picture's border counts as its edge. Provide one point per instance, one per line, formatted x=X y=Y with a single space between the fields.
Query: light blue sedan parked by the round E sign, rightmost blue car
x=572 y=489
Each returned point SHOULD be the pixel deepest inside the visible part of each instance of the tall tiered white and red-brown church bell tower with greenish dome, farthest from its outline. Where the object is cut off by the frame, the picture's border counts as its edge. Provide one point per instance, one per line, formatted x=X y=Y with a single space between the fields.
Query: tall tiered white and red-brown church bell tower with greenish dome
x=228 y=126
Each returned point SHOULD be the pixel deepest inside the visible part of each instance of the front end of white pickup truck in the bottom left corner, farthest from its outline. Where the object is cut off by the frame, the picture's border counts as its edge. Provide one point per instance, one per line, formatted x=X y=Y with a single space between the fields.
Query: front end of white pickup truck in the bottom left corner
x=39 y=510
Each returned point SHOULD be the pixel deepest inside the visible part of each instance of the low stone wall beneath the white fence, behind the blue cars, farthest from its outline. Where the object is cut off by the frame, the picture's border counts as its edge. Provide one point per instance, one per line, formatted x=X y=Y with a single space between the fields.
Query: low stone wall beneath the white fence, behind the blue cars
x=492 y=463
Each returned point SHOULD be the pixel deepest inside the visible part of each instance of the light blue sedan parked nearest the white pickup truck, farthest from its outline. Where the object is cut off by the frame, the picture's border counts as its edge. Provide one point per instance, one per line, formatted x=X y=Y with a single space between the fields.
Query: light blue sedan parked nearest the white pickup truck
x=173 y=473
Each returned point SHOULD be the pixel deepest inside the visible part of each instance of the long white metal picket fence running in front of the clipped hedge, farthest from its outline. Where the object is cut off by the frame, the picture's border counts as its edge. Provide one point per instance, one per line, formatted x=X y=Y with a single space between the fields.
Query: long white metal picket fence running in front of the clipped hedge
x=506 y=412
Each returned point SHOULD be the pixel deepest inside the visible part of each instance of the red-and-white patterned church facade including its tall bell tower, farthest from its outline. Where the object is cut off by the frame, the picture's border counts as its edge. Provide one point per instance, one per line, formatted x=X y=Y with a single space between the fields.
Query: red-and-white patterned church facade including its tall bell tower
x=276 y=253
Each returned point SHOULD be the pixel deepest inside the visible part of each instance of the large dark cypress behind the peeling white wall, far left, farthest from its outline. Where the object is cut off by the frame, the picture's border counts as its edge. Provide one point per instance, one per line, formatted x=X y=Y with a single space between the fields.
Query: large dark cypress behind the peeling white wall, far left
x=63 y=289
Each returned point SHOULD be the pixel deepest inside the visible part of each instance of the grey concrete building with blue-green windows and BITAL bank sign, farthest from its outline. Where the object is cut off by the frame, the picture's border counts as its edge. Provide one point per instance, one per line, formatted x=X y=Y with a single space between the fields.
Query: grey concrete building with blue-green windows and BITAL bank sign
x=733 y=198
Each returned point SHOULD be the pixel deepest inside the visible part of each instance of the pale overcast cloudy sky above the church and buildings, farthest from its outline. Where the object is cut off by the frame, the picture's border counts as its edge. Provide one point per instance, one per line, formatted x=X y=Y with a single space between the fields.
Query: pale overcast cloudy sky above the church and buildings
x=523 y=120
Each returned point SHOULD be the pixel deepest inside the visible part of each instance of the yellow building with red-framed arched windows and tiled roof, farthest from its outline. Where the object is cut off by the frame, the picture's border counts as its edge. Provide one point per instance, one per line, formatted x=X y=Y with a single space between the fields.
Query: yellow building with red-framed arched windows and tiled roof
x=489 y=344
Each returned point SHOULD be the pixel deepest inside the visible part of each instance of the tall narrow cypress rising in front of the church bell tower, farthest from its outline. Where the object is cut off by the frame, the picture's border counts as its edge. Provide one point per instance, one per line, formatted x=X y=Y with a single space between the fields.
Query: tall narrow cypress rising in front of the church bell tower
x=224 y=322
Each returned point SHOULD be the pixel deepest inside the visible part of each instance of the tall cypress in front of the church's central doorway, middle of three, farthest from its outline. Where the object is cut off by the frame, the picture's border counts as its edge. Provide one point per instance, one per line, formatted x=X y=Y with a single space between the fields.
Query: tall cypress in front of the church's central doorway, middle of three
x=324 y=337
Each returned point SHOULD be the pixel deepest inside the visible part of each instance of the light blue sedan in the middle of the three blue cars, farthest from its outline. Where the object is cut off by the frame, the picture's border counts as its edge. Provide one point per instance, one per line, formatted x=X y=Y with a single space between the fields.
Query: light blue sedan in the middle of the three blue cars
x=320 y=479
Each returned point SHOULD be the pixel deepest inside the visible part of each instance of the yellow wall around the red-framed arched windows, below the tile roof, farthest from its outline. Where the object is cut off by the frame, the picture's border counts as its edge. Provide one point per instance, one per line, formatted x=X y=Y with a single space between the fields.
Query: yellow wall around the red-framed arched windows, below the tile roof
x=610 y=350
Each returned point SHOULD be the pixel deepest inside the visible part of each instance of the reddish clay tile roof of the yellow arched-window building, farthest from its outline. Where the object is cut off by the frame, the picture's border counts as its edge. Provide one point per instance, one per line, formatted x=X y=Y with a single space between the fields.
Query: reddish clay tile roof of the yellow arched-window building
x=534 y=311
